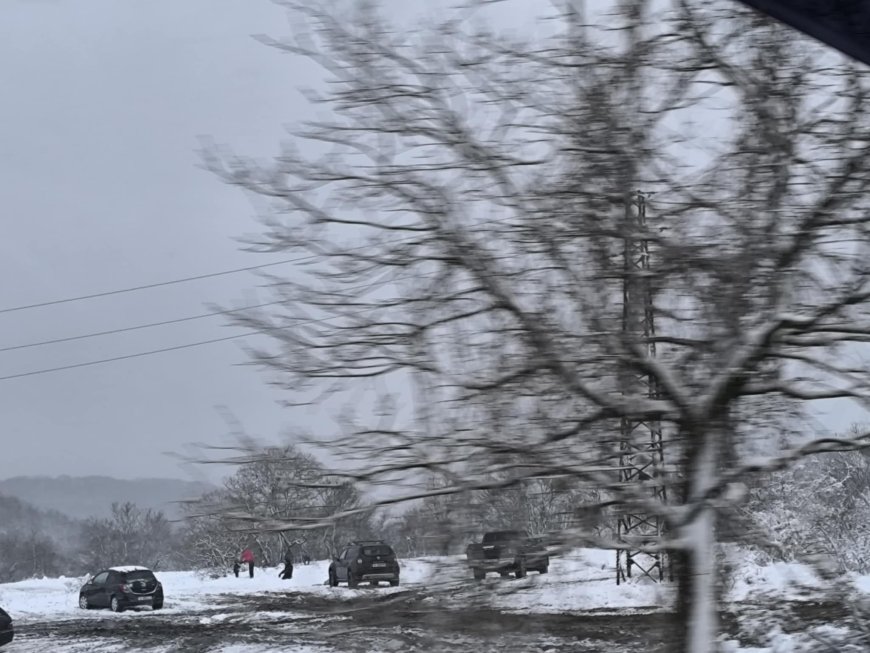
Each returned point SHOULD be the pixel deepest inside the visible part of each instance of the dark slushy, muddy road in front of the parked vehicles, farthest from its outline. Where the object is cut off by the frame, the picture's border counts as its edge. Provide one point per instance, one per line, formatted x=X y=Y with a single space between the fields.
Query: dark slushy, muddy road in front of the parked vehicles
x=409 y=620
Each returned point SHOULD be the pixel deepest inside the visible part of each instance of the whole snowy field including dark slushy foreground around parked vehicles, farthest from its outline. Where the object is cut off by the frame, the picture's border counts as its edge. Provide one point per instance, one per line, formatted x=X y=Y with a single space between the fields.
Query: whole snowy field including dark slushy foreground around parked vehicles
x=577 y=606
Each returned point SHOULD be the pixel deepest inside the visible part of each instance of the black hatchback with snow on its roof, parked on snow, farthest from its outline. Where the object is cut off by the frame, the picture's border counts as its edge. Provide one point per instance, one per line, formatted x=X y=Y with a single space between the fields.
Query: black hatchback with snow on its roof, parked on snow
x=119 y=588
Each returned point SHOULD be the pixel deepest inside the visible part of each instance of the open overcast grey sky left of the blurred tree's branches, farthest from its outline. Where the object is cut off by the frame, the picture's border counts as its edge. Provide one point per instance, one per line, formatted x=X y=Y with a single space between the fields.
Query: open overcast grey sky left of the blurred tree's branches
x=103 y=101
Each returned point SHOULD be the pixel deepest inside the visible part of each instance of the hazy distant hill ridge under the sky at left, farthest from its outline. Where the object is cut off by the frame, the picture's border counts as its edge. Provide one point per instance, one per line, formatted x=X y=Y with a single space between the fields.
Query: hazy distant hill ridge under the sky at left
x=92 y=496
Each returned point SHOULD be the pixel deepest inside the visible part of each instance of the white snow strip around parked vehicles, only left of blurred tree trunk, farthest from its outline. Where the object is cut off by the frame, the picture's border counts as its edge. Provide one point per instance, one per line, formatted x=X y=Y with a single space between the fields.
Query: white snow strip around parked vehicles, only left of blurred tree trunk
x=582 y=580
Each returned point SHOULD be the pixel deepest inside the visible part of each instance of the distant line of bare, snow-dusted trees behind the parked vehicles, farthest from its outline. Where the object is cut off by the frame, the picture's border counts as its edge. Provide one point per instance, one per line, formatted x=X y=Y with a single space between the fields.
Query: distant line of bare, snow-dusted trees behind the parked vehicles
x=816 y=511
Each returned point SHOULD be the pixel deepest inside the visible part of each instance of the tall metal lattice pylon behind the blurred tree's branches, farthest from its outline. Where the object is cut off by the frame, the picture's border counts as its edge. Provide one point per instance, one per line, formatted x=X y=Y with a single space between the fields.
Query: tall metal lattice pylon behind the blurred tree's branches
x=640 y=447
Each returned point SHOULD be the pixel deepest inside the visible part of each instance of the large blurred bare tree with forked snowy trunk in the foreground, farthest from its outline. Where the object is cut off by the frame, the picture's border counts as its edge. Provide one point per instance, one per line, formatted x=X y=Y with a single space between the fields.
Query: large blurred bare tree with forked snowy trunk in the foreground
x=462 y=228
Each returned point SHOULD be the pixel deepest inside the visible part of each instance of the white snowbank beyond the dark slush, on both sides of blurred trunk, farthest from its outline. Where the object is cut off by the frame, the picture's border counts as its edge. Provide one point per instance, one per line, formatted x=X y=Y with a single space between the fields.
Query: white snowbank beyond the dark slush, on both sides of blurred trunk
x=579 y=581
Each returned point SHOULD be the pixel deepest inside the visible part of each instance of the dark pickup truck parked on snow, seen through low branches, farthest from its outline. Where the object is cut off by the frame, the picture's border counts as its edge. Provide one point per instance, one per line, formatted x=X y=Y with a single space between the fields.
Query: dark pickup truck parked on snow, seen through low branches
x=508 y=552
